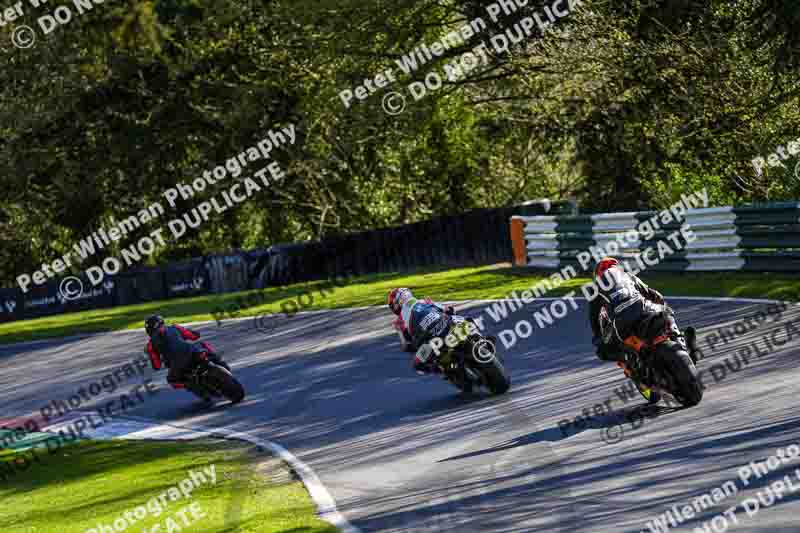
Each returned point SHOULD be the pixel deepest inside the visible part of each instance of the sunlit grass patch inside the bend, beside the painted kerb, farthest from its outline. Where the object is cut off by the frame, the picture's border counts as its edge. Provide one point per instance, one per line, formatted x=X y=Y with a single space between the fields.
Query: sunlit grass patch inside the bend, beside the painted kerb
x=88 y=484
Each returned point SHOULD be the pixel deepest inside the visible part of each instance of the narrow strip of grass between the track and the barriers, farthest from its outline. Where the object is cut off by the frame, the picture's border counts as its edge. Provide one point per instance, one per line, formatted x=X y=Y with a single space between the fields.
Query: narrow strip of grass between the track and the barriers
x=451 y=284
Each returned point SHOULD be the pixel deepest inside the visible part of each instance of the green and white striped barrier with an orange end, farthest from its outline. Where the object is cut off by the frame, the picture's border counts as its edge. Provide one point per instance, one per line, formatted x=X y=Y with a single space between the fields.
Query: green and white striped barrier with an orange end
x=757 y=238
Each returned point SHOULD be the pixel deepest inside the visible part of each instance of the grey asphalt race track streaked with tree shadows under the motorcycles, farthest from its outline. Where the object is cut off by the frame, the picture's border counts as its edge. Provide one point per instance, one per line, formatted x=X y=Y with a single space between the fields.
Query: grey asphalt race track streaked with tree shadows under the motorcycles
x=400 y=452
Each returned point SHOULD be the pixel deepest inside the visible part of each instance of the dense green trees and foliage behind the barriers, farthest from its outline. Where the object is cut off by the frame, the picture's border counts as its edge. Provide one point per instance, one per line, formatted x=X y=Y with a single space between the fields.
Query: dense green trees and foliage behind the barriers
x=620 y=106
